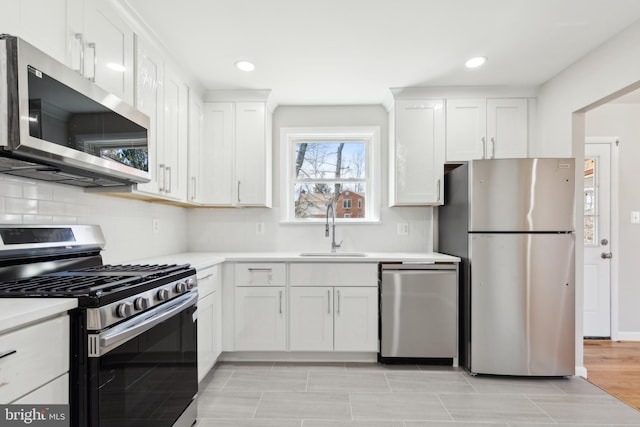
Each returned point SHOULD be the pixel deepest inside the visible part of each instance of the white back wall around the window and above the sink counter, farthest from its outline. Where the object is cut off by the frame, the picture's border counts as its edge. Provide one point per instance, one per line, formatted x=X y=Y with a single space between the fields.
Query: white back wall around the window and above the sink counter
x=235 y=229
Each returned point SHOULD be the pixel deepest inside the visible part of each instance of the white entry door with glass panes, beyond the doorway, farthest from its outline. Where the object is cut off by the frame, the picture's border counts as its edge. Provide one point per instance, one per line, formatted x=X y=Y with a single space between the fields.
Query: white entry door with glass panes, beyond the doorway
x=597 y=240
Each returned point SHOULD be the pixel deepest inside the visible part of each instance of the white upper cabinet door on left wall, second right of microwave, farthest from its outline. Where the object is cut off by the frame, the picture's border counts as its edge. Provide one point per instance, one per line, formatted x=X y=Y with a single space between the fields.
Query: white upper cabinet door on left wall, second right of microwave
x=174 y=159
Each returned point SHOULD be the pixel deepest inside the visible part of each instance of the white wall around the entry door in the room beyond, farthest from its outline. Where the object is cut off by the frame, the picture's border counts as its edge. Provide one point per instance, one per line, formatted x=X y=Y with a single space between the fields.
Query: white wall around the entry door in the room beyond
x=623 y=121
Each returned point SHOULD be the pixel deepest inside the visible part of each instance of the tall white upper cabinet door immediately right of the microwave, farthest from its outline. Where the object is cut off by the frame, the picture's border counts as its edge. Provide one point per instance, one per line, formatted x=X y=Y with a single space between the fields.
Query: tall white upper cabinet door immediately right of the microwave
x=149 y=100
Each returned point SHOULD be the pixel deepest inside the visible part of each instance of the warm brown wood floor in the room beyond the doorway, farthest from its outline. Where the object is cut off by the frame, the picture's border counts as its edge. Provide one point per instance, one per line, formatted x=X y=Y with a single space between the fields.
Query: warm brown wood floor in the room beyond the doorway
x=615 y=367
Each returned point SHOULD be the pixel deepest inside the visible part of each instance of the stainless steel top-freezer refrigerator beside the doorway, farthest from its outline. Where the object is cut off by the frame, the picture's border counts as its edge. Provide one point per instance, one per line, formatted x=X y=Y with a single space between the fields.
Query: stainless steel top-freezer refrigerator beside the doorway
x=511 y=221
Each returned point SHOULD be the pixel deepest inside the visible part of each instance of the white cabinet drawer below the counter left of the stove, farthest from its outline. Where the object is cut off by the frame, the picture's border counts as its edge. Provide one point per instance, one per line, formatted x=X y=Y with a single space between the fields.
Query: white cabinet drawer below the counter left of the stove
x=41 y=354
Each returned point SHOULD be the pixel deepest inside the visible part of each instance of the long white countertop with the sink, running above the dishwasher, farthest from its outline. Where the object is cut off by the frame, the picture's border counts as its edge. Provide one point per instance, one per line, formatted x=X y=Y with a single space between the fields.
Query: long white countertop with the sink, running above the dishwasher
x=201 y=260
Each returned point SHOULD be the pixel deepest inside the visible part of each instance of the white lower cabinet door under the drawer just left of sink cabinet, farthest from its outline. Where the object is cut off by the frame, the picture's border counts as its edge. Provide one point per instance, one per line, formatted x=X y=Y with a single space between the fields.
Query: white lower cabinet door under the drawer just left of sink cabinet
x=260 y=318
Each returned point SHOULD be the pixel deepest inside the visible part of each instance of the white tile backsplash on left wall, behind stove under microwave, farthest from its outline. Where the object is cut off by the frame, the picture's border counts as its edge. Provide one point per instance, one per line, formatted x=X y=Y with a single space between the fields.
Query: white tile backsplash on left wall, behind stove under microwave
x=126 y=224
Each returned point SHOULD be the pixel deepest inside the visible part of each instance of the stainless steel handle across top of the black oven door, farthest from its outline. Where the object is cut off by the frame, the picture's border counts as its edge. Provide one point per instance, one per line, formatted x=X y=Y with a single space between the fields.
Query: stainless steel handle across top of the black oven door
x=103 y=343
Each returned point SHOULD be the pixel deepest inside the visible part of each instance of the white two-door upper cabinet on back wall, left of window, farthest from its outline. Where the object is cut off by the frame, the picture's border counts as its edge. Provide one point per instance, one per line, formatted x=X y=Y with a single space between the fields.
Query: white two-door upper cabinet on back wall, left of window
x=237 y=154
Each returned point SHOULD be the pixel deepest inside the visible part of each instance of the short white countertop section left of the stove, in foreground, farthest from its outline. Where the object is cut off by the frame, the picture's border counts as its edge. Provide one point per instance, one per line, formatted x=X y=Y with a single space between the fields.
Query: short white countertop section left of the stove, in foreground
x=16 y=312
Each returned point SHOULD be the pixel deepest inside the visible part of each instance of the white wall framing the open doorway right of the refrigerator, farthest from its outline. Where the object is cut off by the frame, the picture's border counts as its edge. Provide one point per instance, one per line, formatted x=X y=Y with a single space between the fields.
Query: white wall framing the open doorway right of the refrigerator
x=611 y=68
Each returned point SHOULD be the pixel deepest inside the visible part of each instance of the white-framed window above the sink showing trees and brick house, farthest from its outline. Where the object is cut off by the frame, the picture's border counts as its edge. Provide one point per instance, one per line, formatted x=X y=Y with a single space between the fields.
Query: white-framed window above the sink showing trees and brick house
x=326 y=165
